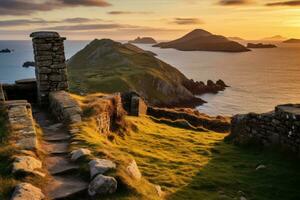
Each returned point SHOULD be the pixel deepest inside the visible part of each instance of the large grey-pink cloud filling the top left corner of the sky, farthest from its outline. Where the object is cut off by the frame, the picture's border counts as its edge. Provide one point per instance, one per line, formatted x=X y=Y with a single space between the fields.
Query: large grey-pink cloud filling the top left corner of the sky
x=24 y=7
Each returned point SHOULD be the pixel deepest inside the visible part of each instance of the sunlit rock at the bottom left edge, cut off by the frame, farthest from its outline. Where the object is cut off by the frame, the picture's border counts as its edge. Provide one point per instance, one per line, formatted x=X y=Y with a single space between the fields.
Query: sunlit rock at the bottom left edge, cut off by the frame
x=26 y=191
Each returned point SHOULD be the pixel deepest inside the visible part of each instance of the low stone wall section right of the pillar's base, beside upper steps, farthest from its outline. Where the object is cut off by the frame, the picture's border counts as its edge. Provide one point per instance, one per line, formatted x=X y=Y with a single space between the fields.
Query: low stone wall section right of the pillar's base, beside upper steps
x=64 y=107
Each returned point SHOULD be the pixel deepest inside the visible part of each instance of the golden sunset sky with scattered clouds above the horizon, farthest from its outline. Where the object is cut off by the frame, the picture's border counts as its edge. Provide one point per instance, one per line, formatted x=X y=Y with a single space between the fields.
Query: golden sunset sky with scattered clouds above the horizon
x=161 y=19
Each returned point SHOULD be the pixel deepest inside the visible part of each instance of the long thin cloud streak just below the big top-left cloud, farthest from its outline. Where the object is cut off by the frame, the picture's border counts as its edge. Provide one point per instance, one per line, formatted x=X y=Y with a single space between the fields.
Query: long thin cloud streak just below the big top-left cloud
x=37 y=21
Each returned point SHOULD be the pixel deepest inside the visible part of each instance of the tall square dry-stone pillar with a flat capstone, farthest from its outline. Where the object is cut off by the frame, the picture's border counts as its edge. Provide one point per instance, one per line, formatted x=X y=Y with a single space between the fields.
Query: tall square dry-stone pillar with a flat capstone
x=50 y=66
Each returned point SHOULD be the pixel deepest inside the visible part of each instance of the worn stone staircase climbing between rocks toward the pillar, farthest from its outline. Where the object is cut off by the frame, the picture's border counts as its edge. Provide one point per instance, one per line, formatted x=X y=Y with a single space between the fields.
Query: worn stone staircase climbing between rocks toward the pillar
x=64 y=182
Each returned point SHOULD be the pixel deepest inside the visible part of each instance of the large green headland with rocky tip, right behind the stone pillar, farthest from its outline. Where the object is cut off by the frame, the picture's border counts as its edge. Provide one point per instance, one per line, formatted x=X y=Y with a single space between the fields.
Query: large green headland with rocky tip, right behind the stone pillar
x=108 y=66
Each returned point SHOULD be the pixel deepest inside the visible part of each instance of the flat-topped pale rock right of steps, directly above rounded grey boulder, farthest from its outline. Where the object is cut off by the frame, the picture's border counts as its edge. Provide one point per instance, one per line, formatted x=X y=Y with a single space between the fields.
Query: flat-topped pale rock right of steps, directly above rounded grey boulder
x=100 y=166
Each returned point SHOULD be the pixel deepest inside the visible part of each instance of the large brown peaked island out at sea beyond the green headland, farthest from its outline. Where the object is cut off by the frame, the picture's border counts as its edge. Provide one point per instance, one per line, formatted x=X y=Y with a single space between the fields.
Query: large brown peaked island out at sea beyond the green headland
x=201 y=40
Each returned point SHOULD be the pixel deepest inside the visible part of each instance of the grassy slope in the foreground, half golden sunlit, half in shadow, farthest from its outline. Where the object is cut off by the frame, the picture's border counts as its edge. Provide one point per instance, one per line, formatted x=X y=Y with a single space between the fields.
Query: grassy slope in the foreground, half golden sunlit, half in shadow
x=191 y=164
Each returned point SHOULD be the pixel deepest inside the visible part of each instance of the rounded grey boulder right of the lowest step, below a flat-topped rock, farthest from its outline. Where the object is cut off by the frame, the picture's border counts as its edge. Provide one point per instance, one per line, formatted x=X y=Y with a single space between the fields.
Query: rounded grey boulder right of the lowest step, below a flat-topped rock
x=102 y=185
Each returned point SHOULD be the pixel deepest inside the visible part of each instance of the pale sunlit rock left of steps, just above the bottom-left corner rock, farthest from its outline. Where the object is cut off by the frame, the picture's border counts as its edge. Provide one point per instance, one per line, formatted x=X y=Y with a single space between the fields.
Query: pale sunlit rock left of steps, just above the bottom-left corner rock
x=27 y=164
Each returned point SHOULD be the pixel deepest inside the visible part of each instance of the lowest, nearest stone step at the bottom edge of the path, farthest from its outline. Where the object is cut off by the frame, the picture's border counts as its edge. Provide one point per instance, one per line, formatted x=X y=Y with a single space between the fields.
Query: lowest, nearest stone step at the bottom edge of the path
x=63 y=187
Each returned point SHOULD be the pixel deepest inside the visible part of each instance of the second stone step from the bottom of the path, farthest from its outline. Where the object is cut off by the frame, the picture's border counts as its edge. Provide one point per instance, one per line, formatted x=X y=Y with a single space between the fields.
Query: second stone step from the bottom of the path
x=59 y=165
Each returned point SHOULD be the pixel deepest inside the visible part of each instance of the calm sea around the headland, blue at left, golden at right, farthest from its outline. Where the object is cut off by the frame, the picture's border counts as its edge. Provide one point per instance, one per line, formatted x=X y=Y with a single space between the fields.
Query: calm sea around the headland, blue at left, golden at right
x=259 y=80
